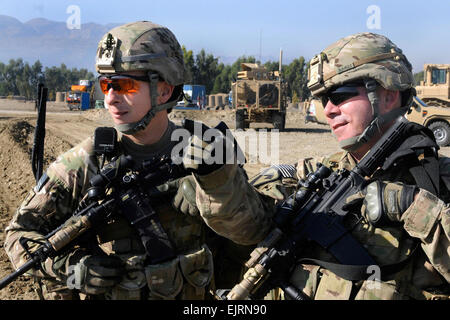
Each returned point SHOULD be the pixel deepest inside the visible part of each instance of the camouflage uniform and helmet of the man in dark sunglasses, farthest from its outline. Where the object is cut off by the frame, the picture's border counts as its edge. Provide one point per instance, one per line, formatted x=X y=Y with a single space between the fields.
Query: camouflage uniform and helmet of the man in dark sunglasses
x=424 y=274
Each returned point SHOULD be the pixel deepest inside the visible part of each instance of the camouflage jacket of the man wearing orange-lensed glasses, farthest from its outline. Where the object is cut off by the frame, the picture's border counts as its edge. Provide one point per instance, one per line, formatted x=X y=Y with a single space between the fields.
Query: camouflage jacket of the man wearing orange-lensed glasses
x=58 y=194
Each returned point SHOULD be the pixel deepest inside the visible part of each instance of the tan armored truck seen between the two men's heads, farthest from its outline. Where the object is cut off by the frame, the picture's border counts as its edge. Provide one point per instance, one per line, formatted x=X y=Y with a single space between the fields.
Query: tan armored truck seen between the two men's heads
x=259 y=95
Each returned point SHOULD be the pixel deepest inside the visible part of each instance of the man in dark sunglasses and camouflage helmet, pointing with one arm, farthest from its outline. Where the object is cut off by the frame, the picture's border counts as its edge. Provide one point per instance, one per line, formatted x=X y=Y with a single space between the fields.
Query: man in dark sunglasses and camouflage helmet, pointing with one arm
x=402 y=217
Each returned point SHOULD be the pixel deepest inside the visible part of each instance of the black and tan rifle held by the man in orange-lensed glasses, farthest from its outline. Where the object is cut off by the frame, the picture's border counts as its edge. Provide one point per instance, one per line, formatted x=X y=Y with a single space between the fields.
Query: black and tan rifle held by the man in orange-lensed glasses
x=133 y=187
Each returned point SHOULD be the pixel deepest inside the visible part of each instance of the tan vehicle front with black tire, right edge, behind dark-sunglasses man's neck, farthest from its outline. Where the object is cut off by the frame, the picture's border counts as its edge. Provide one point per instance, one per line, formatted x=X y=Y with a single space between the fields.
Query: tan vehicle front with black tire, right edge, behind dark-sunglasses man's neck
x=437 y=119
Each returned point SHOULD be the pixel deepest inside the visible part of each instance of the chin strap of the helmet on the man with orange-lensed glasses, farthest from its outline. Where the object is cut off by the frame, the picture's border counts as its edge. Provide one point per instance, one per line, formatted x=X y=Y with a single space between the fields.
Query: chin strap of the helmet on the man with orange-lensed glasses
x=132 y=128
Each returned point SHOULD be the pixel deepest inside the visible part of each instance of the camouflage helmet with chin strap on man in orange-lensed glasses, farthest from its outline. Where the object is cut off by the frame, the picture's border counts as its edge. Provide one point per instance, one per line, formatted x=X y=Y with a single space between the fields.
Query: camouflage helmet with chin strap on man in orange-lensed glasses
x=143 y=46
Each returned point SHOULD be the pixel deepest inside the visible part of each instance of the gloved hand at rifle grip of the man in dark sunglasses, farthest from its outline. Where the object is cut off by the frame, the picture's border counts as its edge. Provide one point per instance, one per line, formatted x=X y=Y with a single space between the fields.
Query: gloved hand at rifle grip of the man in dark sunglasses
x=383 y=203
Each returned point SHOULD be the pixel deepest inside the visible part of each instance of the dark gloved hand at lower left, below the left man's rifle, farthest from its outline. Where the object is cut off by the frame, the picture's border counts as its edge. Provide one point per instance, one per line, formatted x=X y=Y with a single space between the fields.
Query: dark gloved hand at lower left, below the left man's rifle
x=95 y=274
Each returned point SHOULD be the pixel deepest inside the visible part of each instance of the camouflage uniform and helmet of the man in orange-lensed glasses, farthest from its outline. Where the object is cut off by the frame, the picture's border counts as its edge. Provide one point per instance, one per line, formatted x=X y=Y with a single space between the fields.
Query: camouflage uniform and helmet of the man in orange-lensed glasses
x=141 y=46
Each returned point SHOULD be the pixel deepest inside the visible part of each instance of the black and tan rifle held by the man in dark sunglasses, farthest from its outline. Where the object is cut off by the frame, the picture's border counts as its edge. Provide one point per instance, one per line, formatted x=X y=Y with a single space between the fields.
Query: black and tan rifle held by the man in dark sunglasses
x=315 y=213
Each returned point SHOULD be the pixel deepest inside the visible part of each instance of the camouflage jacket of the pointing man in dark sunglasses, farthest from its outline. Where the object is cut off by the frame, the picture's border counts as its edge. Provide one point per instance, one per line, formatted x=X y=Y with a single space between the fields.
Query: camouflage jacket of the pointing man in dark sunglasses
x=426 y=221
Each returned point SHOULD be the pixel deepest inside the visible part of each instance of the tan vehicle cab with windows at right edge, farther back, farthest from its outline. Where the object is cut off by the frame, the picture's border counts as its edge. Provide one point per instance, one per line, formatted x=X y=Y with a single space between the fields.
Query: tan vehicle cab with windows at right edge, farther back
x=435 y=89
